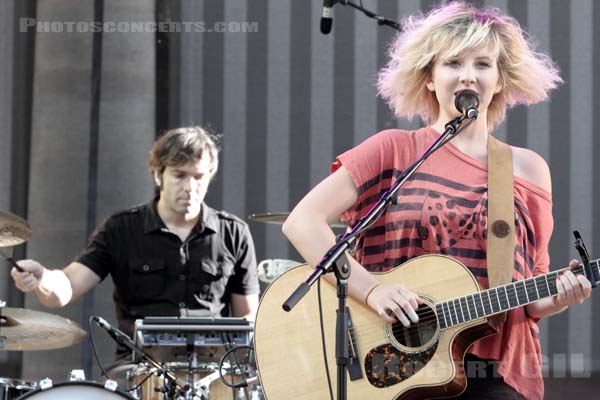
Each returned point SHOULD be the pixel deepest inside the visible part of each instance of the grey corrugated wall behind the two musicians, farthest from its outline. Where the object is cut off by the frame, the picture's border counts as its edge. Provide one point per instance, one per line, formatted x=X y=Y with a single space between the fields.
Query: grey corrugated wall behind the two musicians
x=79 y=112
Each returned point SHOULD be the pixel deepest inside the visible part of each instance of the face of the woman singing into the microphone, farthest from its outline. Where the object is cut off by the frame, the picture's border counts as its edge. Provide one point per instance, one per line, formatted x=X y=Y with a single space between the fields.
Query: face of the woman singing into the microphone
x=473 y=69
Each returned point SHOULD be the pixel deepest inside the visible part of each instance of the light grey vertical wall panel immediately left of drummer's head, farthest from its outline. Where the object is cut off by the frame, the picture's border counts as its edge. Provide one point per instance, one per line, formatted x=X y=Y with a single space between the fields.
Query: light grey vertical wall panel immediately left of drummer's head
x=126 y=133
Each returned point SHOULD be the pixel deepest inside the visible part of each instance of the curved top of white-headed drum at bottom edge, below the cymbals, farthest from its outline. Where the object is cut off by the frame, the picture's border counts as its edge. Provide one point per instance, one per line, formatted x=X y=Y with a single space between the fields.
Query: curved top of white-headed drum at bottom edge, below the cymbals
x=80 y=390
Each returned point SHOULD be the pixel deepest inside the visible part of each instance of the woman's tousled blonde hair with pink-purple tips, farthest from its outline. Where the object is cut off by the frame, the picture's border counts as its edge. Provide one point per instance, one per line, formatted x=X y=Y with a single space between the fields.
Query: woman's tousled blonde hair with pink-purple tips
x=526 y=76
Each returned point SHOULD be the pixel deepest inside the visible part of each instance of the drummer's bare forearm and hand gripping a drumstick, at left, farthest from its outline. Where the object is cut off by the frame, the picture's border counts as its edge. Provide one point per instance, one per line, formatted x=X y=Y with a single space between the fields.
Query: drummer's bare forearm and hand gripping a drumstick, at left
x=54 y=288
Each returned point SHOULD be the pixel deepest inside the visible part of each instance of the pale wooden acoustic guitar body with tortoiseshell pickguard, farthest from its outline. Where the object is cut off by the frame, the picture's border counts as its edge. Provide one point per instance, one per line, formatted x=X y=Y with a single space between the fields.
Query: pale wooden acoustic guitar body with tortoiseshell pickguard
x=289 y=350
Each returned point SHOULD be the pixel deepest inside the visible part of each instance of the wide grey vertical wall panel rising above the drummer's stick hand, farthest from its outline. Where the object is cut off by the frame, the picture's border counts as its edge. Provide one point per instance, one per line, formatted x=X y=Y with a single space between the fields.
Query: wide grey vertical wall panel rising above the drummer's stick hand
x=58 y=183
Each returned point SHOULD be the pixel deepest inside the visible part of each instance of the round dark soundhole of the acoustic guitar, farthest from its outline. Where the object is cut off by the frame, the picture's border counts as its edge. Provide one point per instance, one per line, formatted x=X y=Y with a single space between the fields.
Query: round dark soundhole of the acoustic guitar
x=417 y=335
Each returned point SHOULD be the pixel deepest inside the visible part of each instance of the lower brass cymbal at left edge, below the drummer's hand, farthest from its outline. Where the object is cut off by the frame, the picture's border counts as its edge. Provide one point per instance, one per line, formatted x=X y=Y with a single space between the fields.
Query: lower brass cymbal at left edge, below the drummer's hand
x=24 y=330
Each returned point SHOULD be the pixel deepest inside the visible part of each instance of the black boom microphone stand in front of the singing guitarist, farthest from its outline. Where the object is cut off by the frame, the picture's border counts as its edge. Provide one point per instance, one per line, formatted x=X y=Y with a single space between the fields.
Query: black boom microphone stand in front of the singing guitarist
x=335 y=260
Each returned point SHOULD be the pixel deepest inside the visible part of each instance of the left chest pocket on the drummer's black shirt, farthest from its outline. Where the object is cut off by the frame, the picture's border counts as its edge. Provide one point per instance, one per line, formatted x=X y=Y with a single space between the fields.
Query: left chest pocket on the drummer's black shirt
x=148 y=279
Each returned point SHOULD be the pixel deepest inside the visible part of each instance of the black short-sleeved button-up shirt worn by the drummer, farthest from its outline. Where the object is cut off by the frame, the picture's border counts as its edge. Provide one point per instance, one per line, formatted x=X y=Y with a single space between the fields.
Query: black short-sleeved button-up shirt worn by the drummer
x=156 y=274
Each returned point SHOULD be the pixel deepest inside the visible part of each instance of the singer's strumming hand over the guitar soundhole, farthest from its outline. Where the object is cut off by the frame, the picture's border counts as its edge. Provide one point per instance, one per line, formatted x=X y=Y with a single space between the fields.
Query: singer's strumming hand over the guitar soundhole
x=395 y=301
